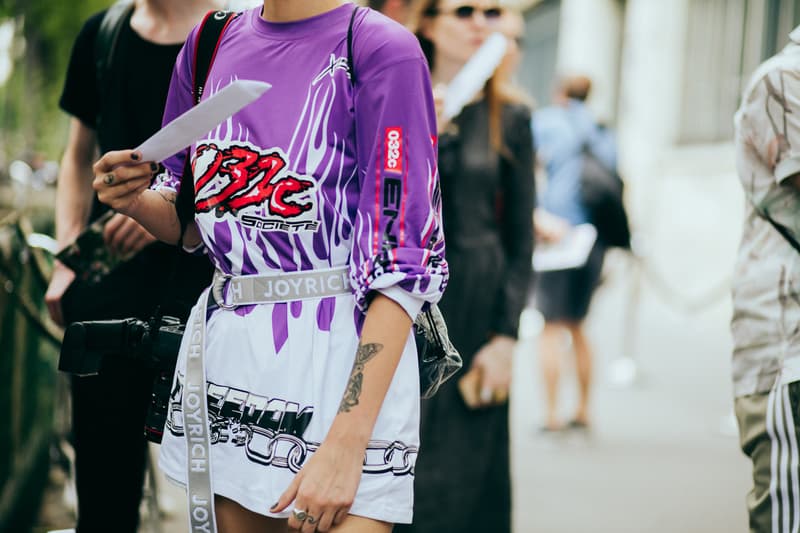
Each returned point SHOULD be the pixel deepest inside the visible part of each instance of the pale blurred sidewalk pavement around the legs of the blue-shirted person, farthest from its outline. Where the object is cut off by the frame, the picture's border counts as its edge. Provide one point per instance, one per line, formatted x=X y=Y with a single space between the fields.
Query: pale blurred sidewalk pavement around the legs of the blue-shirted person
x=662 y=455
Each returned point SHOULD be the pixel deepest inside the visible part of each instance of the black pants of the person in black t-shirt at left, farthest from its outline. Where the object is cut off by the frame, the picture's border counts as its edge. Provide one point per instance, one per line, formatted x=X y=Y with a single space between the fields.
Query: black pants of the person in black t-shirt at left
x=109 y=410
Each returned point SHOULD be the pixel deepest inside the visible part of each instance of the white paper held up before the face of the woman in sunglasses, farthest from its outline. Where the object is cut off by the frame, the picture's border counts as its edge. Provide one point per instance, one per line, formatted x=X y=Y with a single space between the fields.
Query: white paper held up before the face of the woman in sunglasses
x=474 y=74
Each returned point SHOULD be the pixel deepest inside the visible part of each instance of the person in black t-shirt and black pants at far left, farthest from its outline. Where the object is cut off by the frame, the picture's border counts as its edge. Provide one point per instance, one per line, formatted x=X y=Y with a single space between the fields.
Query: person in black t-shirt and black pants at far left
x=108 y=410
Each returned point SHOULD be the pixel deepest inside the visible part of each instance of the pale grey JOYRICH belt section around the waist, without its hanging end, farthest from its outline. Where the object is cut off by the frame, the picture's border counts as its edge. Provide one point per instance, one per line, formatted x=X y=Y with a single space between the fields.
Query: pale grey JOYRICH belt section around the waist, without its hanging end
x=232 y=291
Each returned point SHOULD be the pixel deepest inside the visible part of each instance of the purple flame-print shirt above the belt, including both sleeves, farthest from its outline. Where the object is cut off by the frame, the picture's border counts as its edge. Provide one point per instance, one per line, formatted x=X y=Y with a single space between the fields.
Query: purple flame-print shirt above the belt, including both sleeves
x=320 y=172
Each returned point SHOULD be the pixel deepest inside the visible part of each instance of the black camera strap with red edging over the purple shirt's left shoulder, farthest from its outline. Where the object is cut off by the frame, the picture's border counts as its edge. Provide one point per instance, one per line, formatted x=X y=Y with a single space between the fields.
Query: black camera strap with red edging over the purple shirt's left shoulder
x=208 y=38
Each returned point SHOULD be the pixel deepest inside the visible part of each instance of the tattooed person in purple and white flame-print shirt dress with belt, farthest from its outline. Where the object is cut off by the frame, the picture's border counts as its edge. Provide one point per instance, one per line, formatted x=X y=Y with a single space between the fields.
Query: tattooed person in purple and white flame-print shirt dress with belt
x=325 y=190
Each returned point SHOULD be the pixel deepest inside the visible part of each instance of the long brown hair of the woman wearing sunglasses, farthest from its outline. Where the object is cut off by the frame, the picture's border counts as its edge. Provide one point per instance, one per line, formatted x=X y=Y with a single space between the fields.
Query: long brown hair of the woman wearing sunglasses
x=497 y=91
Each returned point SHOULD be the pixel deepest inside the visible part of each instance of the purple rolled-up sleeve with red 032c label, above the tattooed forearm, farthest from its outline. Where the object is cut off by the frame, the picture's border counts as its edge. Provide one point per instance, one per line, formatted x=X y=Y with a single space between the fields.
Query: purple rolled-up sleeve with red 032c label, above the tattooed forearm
x=399 y=243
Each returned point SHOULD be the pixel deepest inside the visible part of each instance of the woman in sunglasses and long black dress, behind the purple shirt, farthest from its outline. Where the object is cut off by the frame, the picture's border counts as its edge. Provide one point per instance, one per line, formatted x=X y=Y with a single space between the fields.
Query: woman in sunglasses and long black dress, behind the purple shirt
x=462 y=479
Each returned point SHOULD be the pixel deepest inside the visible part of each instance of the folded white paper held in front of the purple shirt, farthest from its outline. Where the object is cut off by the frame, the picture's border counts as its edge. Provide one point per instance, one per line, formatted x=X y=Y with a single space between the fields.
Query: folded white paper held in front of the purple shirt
x=201 y=119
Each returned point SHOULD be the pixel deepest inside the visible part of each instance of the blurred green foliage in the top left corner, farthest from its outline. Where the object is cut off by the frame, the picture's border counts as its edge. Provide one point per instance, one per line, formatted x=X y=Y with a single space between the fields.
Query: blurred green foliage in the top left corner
x=30 y=120
